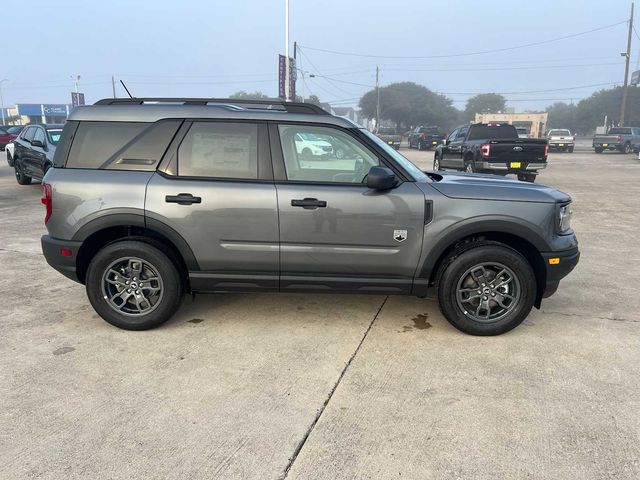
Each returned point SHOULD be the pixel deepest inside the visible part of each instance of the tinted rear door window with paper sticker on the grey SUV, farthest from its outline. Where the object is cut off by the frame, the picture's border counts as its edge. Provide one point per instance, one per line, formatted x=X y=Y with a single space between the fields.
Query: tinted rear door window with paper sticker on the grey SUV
x=219 y=150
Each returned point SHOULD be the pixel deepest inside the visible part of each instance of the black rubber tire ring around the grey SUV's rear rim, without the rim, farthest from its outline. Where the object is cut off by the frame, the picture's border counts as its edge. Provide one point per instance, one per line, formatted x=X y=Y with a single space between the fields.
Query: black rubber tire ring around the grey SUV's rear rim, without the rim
x=172 y=284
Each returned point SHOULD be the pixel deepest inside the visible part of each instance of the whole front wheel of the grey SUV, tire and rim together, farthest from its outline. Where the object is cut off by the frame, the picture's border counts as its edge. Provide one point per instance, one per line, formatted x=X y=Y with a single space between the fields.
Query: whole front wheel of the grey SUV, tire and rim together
x=497 y=310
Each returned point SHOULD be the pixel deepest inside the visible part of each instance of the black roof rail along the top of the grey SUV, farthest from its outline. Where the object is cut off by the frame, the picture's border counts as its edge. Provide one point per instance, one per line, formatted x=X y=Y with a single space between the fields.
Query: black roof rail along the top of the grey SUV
x=290 y=107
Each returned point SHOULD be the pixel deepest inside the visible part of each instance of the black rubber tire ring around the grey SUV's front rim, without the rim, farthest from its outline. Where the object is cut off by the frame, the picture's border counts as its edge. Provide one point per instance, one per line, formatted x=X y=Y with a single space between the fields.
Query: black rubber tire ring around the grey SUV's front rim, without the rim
x=448 y=282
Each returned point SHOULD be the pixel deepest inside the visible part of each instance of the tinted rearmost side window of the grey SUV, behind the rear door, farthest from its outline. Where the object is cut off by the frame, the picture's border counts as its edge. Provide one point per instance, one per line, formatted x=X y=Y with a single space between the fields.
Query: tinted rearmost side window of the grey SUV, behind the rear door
x=120 y=145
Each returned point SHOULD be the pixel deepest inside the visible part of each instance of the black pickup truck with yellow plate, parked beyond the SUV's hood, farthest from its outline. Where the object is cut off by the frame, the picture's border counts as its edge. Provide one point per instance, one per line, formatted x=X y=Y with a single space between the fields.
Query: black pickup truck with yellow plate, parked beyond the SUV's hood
x=492 y=148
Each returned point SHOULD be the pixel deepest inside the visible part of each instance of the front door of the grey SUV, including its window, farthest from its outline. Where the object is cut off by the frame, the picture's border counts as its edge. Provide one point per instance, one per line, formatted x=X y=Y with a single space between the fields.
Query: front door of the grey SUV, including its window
x=335 y=233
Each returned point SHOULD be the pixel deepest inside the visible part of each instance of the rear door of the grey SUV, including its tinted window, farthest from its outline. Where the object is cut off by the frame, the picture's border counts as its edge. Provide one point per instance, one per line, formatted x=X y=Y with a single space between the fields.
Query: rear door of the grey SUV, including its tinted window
x=217 y=193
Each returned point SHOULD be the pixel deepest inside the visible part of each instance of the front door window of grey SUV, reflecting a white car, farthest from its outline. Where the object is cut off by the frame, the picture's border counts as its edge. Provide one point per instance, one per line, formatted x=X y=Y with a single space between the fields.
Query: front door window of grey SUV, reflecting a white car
x=324 y=154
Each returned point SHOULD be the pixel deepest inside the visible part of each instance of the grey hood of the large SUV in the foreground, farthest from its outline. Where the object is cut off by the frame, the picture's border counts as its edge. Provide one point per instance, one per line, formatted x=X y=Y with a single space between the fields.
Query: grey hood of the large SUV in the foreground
x=473 y=186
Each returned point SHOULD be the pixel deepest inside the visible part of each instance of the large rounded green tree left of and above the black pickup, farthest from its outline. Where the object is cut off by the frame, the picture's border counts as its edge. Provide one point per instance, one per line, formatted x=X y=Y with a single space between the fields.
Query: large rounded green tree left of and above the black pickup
x=407 y=104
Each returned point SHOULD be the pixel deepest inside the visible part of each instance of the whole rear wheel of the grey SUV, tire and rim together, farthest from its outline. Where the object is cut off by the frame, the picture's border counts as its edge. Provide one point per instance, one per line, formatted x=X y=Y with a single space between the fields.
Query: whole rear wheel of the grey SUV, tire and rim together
x=149 y=262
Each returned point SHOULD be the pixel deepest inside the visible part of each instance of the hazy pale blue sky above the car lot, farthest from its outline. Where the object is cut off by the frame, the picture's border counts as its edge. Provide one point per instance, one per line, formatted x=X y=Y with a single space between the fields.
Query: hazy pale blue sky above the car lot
x=198 y=48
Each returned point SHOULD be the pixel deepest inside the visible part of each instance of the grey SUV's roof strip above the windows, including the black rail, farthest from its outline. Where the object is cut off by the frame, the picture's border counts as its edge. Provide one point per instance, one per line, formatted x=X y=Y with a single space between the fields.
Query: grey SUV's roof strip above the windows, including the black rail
x=151 y=110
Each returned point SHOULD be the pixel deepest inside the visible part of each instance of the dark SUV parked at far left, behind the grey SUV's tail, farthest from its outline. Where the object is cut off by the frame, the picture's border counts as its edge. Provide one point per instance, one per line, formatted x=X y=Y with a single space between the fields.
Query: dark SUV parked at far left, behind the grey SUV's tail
x=34 y=151
